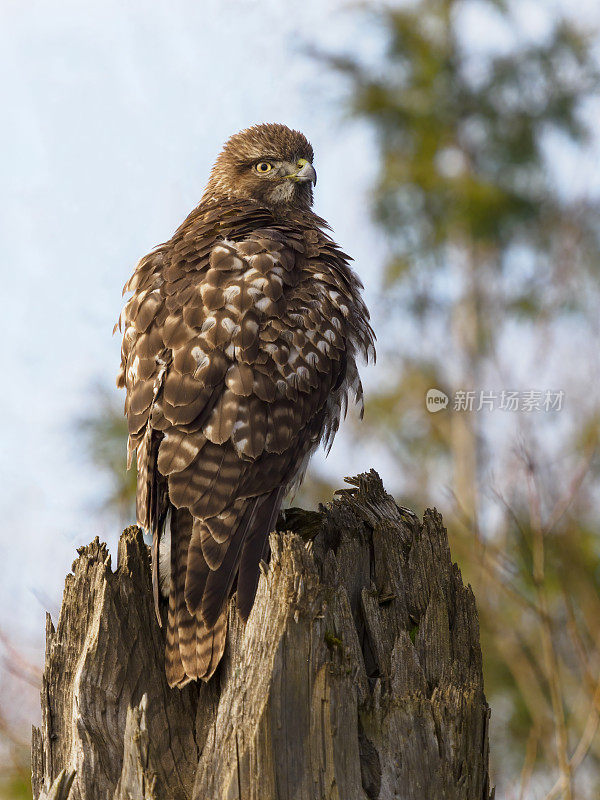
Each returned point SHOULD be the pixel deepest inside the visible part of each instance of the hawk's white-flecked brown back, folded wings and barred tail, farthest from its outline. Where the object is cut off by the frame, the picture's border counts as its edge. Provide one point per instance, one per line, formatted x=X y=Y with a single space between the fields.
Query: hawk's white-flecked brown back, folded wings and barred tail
x=234 y=362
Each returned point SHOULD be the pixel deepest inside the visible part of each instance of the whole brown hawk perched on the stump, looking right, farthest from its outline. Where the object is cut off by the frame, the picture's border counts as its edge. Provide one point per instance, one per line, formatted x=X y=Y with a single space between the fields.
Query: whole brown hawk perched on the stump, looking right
x=239 y=352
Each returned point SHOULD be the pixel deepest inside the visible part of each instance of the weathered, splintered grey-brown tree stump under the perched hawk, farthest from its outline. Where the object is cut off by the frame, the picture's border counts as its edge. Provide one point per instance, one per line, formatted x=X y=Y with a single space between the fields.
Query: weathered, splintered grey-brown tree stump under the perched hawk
x=358 y=674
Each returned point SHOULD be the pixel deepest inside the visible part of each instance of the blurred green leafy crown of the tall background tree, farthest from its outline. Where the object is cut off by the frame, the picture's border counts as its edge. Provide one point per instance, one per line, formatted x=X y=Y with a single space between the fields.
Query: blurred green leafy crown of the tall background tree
x=462 y=141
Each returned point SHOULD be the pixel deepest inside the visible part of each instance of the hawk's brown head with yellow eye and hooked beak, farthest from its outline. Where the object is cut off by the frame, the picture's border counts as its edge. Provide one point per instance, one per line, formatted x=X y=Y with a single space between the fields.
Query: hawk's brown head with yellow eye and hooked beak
x=269 y=163
